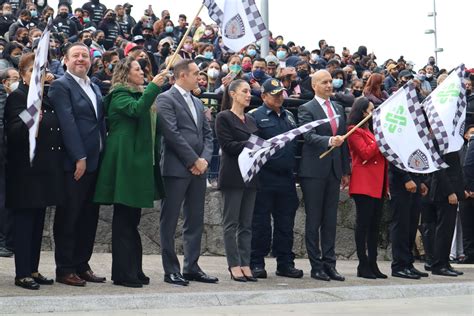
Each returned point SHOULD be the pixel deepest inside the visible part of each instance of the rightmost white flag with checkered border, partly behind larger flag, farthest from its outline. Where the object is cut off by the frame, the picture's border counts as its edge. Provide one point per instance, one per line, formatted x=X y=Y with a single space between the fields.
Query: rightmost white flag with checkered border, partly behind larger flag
x=446 y=111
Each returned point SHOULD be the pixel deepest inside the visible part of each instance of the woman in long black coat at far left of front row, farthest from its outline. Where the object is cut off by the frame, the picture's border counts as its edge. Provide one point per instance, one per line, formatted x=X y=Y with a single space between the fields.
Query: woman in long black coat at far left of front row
x=30 y=188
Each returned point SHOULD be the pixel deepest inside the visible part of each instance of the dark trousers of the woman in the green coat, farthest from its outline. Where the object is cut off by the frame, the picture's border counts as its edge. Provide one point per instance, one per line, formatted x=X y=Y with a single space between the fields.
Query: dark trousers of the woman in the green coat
x=126 y=244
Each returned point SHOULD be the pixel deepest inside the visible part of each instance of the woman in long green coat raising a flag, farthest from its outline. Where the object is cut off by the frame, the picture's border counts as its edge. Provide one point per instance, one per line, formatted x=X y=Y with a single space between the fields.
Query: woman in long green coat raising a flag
x=129 y=175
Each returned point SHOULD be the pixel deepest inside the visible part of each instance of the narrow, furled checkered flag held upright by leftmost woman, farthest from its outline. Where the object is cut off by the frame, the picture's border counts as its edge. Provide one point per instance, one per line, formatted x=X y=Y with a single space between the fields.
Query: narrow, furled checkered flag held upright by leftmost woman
x=30 y=116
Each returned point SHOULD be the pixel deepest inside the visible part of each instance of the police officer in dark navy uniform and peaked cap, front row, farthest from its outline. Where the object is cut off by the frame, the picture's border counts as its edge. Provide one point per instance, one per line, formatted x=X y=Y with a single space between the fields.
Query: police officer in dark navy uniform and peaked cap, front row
x=276 y=196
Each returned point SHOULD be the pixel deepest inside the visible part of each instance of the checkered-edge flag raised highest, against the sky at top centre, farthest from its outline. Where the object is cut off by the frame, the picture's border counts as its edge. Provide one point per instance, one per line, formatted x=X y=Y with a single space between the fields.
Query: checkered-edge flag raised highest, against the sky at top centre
x=239 y=20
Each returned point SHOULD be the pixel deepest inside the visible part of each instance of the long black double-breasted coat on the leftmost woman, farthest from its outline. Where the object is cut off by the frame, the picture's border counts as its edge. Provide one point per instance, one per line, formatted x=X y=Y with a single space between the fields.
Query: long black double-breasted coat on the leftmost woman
x=40 y=184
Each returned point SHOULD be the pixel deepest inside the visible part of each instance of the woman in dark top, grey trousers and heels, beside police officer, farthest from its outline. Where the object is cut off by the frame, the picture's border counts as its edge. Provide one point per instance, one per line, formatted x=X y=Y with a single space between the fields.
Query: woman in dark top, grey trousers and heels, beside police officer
x=233 y=129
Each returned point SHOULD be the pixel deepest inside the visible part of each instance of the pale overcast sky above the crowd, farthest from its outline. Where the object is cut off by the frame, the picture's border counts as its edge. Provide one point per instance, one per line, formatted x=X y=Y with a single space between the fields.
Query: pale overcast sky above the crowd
x=389 y=28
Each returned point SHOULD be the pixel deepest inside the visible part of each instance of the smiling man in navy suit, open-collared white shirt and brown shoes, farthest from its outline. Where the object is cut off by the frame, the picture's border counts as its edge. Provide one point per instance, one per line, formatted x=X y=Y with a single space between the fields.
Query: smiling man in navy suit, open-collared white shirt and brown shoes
x=78 y=104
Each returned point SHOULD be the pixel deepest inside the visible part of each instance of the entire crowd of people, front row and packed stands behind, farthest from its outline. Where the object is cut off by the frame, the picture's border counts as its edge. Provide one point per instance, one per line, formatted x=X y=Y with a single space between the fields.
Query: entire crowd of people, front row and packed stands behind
x=119 y=127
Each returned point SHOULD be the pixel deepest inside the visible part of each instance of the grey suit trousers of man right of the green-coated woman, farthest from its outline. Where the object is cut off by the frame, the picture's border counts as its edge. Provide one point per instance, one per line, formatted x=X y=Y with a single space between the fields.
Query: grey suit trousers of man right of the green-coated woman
x=191 y=191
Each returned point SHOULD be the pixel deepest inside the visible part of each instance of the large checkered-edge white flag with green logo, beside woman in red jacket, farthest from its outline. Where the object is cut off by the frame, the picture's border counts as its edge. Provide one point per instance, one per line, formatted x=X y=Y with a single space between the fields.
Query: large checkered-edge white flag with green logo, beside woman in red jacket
x=402 y=133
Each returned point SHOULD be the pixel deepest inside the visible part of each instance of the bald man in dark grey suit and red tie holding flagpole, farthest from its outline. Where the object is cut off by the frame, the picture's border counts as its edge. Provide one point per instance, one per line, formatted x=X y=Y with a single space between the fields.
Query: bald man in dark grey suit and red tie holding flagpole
x=321 y=178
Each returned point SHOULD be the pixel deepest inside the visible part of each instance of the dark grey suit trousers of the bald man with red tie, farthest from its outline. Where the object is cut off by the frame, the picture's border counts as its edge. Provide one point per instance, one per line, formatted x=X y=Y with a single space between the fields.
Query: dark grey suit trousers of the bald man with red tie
x=321 y=197
